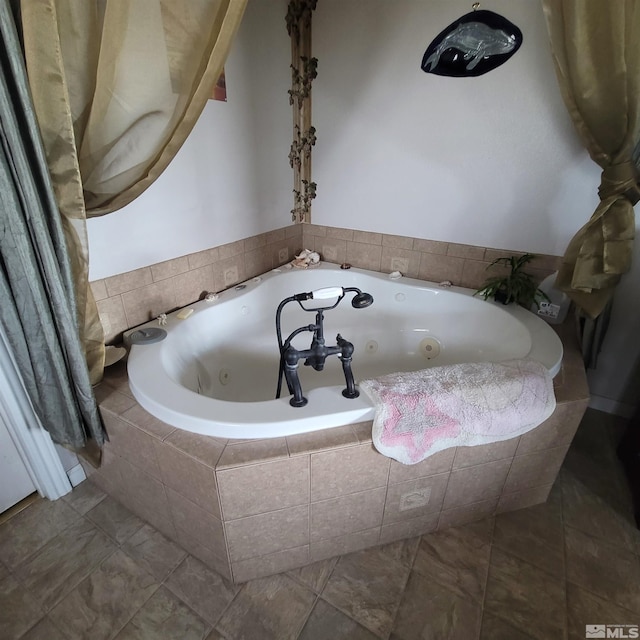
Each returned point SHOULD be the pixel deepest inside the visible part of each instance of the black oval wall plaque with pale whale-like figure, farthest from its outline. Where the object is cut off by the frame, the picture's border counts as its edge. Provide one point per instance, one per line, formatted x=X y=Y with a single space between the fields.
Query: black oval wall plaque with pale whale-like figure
x=474 y=44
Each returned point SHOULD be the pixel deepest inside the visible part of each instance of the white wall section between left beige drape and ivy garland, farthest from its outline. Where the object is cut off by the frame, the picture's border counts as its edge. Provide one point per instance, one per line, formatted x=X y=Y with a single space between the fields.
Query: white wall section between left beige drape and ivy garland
x=231 y=179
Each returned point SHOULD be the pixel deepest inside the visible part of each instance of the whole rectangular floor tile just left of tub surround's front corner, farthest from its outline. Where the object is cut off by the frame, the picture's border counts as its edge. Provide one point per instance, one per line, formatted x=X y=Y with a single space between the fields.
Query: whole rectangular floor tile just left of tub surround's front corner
x=203 y=590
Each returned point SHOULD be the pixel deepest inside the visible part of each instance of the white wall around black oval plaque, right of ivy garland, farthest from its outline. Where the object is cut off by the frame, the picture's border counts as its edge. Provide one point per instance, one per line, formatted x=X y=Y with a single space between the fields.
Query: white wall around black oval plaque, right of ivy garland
x=491 y=161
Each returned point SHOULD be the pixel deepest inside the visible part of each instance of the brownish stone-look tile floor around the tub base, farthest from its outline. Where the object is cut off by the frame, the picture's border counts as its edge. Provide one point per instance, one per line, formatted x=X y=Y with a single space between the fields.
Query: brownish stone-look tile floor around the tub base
x=84 y=567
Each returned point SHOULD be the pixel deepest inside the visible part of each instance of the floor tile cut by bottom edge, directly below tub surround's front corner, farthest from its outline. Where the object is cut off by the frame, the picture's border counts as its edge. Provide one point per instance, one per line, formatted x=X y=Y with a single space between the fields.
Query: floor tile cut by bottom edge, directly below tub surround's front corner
x=273 y=608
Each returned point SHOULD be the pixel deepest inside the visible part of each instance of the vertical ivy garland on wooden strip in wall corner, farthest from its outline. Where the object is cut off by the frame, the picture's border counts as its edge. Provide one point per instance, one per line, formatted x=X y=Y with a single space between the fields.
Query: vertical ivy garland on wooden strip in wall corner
x=303 y=72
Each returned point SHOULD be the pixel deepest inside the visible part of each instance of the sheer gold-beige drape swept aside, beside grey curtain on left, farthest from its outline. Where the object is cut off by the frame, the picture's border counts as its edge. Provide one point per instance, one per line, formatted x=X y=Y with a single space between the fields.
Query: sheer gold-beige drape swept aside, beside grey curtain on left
x=117 y=87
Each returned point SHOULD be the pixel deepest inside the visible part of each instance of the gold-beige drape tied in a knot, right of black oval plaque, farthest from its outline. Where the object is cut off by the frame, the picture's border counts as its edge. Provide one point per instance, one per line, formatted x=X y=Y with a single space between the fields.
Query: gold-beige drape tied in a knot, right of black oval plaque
x=596 y=49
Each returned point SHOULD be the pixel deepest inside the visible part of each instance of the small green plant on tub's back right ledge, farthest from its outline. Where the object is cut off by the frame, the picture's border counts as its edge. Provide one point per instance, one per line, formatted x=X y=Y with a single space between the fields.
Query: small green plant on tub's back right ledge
x=516 y=285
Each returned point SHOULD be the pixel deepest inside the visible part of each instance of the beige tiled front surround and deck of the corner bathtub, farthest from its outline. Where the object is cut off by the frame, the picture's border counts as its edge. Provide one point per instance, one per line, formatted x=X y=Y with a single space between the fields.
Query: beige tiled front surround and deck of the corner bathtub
x=253 y=508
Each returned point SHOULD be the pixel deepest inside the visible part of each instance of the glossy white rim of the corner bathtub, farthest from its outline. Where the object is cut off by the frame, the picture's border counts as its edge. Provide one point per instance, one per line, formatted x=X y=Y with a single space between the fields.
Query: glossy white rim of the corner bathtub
x=326 y=408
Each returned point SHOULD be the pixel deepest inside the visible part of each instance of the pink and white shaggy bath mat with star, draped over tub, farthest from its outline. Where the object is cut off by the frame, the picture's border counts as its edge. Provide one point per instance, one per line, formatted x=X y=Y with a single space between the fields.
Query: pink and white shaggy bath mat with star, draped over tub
x=419 y=413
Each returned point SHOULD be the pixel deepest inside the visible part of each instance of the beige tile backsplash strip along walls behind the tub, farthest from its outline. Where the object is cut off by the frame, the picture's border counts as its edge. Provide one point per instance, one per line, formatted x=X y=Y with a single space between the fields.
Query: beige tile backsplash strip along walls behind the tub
x=129 y=299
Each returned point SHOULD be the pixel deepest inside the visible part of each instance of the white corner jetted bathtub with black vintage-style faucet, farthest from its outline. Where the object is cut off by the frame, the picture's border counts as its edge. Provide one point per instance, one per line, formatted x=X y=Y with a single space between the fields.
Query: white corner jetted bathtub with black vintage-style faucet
x=216 y=371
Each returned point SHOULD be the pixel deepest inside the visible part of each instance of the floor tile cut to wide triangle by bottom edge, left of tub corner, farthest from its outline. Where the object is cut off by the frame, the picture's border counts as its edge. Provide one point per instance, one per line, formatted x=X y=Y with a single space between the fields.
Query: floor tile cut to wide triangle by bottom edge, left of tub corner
x=165 y=616
